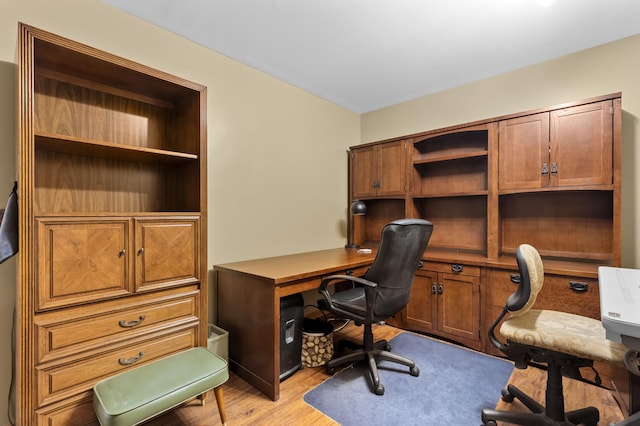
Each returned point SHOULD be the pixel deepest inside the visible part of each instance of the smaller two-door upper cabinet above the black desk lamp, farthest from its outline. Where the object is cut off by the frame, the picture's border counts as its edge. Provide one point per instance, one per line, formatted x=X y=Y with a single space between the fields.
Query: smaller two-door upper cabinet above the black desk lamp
x=379 y=170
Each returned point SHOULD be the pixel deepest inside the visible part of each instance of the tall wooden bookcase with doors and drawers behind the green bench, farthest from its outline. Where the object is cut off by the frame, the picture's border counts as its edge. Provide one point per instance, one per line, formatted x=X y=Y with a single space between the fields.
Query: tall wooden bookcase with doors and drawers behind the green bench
x=112 y=212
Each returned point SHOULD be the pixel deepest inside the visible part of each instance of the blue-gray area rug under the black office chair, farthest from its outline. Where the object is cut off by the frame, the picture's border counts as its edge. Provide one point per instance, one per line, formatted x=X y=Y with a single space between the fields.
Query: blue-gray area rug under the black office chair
x=454 y=385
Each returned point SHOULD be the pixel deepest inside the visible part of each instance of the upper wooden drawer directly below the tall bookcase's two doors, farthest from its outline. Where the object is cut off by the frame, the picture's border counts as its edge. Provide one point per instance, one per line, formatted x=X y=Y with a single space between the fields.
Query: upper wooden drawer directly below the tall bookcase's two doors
x=70 y=331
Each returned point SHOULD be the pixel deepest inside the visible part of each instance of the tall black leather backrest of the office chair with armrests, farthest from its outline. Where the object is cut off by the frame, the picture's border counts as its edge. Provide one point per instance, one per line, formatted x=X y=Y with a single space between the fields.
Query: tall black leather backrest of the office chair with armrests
x=400 y=252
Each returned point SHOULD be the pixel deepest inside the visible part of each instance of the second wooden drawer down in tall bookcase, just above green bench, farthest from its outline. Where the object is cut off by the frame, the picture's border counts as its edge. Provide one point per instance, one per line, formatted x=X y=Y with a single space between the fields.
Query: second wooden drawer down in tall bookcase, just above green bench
x=57 y=381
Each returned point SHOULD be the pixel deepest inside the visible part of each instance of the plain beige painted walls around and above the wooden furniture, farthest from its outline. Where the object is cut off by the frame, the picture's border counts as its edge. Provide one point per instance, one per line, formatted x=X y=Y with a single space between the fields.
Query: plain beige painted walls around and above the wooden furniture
x=277 y=155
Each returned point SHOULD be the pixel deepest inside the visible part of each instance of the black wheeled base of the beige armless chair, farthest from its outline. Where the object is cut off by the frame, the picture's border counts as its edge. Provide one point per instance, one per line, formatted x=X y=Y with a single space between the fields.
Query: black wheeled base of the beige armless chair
x=588 y=416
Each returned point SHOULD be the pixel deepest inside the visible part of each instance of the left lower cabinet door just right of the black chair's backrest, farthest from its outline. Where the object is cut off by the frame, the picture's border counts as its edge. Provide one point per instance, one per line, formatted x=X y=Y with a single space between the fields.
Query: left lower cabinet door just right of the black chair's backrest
x=421 y=311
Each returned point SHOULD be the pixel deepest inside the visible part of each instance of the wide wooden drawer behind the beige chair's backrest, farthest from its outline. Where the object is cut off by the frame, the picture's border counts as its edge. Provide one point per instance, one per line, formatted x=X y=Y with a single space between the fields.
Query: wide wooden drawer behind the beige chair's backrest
x=576 y=295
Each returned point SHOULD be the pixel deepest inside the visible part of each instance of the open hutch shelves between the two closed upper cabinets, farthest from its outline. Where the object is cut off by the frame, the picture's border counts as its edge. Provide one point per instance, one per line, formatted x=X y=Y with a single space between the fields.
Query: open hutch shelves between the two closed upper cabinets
x=450 y=187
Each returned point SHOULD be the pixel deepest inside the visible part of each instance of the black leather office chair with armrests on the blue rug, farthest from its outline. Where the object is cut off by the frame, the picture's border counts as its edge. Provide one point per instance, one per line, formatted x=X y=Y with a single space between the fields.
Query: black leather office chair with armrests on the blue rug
x=381 y=293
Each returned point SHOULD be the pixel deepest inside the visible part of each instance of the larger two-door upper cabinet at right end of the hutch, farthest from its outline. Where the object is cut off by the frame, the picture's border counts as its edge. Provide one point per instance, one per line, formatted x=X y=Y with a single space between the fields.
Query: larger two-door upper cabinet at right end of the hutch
x=562 y=148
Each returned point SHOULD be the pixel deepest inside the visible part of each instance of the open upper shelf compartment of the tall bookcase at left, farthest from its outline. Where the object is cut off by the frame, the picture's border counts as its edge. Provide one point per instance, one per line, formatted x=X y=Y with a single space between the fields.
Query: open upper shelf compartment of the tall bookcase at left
x=112 y=137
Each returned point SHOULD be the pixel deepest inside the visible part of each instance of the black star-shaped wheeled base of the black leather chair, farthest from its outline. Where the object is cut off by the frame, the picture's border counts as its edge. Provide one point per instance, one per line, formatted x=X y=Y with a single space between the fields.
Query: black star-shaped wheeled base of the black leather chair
x=379 y=352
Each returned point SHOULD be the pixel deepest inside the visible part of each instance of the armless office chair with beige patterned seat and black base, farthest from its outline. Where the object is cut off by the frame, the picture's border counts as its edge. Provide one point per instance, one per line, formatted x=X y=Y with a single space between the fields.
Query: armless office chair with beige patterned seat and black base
x=563 y=341
